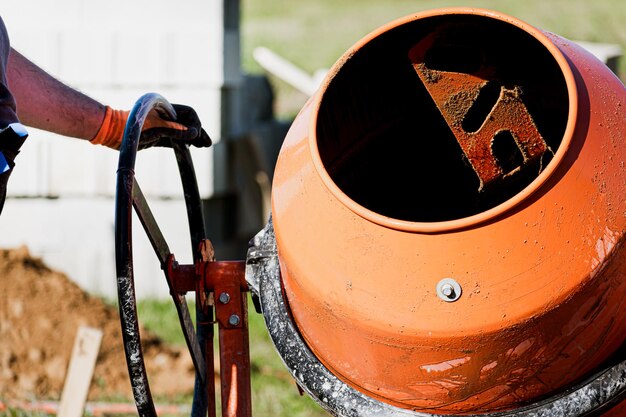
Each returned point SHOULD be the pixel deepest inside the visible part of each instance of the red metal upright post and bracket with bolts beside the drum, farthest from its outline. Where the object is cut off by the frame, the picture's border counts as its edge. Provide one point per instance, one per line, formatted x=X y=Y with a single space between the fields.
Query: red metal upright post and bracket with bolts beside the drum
x=221 y=288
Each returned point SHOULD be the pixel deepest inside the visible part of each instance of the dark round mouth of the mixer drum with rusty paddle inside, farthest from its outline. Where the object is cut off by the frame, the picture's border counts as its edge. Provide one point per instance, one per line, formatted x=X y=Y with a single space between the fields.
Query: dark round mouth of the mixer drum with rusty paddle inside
x=400 y=118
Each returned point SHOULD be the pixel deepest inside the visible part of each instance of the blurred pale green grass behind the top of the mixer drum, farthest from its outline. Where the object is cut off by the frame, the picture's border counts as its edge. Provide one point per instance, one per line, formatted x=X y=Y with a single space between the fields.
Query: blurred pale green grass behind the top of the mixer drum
x=314 y=34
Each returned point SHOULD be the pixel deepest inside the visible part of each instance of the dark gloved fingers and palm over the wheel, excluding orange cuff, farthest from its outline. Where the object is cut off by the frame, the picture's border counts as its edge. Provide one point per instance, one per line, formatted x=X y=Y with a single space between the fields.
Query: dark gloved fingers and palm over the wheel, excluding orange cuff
x=158 y=131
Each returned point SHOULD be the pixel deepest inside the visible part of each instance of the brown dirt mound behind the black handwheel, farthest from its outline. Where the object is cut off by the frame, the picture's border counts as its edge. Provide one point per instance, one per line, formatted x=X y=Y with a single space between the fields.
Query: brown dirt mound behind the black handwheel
x=40 y=312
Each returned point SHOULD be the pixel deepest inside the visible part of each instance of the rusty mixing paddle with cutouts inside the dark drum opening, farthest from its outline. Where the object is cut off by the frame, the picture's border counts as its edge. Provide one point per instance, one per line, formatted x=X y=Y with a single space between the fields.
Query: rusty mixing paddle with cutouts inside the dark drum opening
x=457 y=89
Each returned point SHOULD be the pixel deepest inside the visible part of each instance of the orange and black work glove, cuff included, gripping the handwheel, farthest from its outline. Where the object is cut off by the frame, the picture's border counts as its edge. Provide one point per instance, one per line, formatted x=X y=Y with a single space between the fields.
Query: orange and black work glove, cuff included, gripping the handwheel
x=156 y=131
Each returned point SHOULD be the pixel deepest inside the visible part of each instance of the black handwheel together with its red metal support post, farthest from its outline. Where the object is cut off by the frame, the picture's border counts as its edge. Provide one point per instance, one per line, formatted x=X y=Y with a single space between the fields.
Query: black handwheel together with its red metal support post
x=206 y=277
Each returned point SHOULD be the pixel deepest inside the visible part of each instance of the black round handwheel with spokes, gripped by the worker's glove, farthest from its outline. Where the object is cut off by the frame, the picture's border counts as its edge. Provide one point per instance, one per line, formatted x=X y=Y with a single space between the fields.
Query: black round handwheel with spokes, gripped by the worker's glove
x=129 y=196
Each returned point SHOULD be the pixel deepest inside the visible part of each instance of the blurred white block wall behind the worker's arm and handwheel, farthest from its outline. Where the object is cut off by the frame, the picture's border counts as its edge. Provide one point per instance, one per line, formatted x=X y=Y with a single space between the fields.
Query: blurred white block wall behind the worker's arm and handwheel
x=61 y=194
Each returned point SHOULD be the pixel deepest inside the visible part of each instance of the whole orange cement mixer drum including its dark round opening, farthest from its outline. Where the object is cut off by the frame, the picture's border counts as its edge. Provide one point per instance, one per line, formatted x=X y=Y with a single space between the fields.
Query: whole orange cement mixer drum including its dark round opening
x=450 y=214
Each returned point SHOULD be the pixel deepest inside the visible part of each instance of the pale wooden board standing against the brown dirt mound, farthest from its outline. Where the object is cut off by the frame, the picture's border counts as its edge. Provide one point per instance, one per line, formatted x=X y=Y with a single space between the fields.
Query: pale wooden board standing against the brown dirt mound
x=80 y=371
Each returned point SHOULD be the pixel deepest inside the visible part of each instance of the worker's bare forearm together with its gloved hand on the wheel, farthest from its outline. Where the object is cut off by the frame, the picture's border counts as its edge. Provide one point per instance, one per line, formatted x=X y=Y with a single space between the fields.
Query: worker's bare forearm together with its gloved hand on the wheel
x=46 y=103
